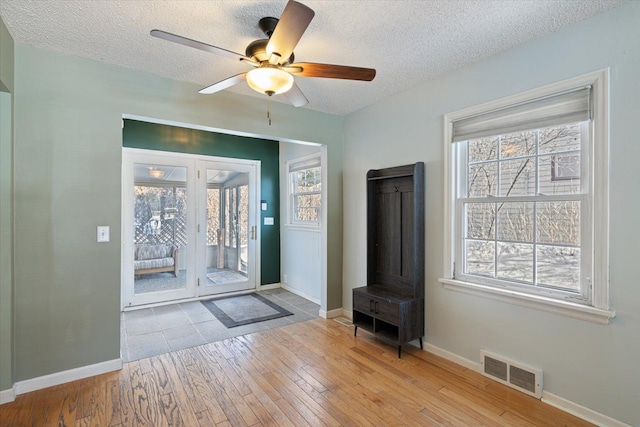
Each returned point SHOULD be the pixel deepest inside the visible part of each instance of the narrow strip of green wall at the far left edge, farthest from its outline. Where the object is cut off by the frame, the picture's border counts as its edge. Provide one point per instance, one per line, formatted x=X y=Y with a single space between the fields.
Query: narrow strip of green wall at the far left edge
x=6 y=208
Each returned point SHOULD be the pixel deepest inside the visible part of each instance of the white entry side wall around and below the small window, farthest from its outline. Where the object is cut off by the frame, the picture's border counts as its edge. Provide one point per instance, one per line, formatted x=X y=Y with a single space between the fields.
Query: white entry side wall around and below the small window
x=301 y=249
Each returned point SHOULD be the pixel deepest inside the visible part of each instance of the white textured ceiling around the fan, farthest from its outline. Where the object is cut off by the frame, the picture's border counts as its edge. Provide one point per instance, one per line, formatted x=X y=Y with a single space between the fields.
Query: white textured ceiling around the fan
x=405 y=41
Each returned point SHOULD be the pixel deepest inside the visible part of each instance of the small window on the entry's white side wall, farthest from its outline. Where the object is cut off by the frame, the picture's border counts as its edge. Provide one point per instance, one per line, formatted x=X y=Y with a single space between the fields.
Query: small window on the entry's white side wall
x=305 y=185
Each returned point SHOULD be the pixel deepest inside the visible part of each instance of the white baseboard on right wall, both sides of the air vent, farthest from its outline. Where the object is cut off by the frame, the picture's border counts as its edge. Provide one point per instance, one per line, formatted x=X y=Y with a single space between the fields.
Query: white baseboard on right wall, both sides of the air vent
x=548 y=398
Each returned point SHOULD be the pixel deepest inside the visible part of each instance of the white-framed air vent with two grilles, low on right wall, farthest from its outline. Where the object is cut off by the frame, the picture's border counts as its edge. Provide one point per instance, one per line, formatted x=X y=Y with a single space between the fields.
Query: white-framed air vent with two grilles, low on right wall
x=523 y=378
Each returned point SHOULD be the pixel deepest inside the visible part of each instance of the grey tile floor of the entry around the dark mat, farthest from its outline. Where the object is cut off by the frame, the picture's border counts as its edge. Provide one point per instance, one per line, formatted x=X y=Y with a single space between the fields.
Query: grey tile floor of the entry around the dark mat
x=152 y=331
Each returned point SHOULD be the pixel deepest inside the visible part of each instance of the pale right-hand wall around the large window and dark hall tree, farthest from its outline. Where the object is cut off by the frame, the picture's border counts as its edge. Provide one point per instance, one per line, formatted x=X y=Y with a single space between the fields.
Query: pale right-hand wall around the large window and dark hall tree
x=592 y=365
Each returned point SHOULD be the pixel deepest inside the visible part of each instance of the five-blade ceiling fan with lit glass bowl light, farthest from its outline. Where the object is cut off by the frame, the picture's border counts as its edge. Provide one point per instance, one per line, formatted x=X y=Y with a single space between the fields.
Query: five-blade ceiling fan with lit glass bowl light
x=273 y=58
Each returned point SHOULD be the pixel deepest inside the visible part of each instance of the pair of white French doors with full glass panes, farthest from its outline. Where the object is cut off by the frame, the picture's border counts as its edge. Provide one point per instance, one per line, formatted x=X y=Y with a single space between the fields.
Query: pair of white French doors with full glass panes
x=189 y=226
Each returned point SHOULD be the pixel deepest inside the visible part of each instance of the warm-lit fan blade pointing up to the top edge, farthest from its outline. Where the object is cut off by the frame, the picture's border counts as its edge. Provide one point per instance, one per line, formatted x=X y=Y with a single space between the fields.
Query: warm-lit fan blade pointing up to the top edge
x=295 y=19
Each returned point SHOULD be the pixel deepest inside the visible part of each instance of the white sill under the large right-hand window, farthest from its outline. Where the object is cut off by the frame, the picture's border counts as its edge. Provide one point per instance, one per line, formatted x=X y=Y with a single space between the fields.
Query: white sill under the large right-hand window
x=563 y=308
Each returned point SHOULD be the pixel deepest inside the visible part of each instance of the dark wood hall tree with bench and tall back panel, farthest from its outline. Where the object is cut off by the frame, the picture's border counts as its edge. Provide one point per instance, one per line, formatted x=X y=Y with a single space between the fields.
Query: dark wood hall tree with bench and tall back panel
x=391 y=306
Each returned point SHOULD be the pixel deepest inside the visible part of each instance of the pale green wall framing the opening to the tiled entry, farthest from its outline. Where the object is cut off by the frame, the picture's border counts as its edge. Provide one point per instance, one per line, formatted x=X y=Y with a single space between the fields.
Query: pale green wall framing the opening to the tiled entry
x=68 y=152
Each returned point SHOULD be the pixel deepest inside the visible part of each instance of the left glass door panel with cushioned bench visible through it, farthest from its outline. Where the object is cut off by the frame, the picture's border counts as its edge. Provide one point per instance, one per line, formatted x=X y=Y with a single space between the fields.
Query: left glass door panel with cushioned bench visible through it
x=160 y=217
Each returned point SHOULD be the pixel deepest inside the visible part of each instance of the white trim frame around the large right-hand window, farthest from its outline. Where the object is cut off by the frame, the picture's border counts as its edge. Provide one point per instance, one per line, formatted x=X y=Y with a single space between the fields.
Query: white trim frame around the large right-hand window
x=599 y=311
